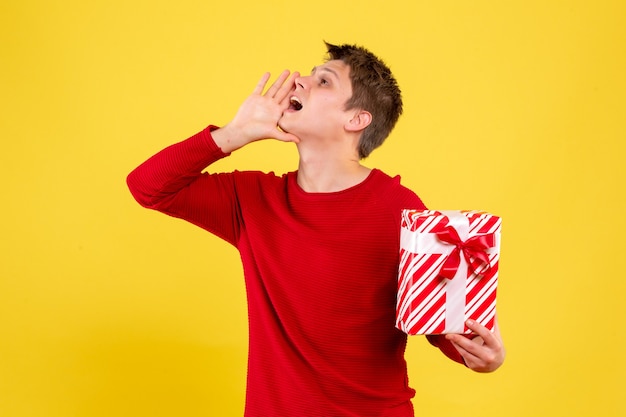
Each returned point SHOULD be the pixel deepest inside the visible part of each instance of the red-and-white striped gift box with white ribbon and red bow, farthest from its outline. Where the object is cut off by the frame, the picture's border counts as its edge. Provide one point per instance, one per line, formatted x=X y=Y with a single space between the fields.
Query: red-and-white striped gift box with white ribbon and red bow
x=448 y=271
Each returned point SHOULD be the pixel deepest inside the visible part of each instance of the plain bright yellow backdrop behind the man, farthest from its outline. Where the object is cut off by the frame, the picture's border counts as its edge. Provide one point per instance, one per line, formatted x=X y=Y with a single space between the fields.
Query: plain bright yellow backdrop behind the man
x=107 y=309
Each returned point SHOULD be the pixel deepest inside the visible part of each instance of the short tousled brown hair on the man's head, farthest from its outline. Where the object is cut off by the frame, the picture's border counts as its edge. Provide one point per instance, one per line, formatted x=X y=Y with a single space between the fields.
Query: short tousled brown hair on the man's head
x=374 y=89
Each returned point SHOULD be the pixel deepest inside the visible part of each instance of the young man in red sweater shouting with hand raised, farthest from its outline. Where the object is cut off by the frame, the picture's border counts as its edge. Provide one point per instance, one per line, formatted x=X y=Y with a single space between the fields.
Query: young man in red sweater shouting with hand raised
x=319 y=246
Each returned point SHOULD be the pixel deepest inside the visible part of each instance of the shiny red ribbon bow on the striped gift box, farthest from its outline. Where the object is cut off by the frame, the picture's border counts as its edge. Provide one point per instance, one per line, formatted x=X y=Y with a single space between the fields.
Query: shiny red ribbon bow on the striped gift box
x=475 y=246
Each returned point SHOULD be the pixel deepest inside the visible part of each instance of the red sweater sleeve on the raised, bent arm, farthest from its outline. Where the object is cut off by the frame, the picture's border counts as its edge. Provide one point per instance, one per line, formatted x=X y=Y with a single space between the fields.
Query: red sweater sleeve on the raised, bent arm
x=173 y=182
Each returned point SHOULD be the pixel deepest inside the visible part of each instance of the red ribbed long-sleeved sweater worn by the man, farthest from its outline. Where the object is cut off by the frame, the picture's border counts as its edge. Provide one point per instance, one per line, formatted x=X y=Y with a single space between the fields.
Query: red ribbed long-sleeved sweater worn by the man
x=321 y=277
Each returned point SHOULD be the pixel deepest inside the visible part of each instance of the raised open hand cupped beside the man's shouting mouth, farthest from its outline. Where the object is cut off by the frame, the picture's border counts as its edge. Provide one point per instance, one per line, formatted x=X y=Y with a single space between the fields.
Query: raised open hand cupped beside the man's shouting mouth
x=257 y=117
